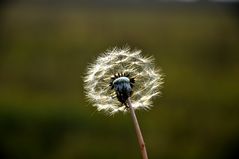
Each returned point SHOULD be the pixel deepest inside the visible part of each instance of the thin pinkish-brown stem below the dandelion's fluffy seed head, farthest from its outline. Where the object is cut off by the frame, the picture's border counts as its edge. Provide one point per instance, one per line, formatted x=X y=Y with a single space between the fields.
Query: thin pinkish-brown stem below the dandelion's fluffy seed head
x=138 y=131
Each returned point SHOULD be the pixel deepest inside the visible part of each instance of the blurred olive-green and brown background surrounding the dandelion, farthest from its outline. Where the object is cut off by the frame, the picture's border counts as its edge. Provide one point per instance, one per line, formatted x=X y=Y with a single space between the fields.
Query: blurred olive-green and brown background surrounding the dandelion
x=45 y=46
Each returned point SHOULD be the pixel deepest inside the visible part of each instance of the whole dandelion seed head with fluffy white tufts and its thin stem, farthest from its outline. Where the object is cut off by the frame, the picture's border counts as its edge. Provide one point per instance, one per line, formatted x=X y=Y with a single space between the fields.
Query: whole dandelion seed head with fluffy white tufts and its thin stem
x=122 y=80
